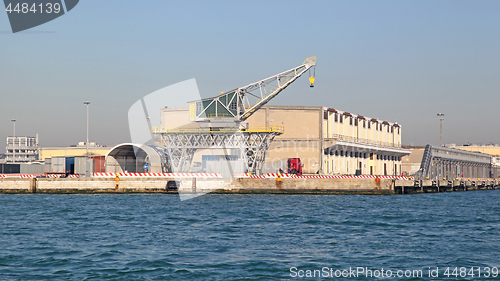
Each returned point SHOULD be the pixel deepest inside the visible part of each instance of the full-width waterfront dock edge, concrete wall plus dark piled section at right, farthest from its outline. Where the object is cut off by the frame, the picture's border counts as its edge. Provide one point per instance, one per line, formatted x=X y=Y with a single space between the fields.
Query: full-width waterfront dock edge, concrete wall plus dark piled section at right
x=240 y=185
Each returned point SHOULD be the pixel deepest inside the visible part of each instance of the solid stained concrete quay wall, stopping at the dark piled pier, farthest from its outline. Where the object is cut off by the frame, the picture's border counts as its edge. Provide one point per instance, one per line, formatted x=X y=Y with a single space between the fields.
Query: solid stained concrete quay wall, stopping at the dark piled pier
x=220 y=185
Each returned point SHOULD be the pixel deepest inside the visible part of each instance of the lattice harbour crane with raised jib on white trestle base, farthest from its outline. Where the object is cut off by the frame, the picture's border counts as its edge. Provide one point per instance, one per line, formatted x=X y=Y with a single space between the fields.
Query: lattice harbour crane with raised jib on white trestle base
x=222 y=125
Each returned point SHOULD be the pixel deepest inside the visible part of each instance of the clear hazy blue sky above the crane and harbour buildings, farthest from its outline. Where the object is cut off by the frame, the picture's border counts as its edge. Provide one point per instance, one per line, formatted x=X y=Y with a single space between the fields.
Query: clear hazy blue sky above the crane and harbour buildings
x=400 y=61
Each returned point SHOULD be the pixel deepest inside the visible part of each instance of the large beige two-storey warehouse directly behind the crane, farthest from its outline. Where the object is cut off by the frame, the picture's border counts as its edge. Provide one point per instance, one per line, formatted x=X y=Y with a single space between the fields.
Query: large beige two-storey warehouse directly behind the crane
x=330 y=141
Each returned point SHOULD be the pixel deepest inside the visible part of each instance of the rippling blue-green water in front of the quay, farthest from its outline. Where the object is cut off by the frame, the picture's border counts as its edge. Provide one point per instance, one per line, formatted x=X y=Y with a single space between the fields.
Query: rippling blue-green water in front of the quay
x=245 y=237
